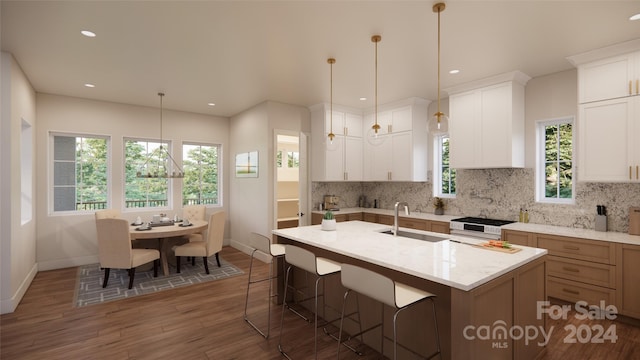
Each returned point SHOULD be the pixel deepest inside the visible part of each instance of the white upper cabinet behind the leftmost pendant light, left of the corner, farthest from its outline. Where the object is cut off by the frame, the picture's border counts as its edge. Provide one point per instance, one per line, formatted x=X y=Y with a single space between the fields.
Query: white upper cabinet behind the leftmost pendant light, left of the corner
x=342 y=160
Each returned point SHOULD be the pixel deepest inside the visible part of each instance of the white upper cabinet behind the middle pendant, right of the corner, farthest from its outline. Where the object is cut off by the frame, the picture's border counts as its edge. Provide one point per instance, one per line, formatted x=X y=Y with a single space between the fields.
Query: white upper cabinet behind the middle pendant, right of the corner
x=400 y=153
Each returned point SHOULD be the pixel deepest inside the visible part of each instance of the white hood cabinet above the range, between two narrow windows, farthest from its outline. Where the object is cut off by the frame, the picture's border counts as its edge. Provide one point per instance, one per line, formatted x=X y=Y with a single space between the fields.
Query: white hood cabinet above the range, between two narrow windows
x=486 y=122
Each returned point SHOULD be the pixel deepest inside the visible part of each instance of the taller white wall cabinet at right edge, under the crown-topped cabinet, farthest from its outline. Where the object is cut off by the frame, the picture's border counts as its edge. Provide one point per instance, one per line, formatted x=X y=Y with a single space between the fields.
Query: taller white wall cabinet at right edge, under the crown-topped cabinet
x=609 y=133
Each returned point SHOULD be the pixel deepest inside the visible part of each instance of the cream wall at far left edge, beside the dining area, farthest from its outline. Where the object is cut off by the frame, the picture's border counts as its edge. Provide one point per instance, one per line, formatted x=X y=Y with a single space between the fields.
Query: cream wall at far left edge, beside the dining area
x=17 y=240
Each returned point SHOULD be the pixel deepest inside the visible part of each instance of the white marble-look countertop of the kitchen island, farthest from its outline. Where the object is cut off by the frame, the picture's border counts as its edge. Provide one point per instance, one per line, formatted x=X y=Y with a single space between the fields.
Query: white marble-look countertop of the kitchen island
x=459 y=265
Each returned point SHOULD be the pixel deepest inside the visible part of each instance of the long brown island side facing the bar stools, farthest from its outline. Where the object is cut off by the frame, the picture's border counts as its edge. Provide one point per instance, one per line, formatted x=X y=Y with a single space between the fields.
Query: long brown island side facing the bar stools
x=416 y=330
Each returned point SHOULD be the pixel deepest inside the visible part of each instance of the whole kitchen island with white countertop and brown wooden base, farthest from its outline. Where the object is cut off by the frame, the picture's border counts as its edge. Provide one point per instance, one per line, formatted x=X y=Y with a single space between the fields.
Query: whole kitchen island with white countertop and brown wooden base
x=478 y=290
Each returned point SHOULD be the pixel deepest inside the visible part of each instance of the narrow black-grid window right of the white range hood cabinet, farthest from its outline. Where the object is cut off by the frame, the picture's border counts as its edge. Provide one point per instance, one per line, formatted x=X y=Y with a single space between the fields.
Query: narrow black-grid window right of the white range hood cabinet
x=555 y=161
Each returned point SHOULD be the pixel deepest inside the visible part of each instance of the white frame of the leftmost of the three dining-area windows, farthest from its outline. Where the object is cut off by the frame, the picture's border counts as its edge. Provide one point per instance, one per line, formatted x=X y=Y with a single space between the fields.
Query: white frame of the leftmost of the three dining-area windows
x=51 y=172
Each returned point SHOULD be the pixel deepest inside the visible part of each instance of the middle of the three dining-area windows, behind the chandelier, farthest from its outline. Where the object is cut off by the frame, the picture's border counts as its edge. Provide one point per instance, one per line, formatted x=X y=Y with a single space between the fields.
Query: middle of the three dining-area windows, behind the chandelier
x=145 y=192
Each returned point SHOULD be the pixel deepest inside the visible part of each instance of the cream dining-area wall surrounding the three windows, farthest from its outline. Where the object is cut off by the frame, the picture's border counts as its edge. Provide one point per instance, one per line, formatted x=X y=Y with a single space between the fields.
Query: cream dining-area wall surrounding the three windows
x=70 y=240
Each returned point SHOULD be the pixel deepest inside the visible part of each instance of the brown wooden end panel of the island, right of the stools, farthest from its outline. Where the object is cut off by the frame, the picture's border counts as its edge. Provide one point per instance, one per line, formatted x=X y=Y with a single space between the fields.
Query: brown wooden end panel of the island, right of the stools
x=481 y=316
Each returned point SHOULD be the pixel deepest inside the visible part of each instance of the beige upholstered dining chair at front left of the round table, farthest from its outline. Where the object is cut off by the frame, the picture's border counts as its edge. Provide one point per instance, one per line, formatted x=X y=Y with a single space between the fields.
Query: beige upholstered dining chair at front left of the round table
x=115 y=251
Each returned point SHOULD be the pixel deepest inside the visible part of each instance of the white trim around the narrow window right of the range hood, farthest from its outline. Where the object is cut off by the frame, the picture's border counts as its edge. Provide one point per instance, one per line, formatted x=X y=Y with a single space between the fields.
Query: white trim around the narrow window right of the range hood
x=540 y=160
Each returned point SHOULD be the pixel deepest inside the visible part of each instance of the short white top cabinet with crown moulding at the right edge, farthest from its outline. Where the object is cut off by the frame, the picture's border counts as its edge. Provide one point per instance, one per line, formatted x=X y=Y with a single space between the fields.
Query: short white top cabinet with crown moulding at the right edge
x=608 y=73
